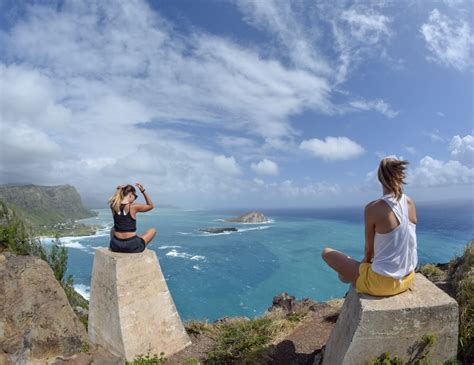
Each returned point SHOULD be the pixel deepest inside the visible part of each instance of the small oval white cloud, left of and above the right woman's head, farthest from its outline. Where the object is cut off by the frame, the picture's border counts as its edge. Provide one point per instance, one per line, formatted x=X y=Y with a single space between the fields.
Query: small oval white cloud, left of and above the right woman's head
x=333 y=148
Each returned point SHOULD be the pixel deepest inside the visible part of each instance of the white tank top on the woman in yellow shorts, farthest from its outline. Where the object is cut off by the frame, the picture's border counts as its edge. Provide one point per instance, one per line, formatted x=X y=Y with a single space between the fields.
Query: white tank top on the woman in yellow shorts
x=395 y=252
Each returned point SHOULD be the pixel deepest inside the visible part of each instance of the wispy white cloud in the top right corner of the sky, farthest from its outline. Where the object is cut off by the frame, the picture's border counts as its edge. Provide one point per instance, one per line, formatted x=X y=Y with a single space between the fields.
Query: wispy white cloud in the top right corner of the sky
x=449 y=41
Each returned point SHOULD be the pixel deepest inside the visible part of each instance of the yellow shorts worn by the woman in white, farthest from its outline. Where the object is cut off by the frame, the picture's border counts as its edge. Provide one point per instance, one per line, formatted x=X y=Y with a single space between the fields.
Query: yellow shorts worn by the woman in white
x=370 y=282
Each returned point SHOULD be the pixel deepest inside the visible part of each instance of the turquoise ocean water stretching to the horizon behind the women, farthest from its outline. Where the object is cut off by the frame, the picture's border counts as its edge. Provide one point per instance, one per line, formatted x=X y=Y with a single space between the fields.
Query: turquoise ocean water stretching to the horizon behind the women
x=211 y=276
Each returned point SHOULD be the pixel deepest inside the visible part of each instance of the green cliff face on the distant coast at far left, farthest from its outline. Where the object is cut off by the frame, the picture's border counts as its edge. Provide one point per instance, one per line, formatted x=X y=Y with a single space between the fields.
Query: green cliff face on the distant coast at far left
x=44 y=205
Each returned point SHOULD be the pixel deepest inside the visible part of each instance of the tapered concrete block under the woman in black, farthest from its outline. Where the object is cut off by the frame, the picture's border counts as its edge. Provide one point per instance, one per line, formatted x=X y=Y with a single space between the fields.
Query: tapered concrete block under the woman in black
x=131 y=311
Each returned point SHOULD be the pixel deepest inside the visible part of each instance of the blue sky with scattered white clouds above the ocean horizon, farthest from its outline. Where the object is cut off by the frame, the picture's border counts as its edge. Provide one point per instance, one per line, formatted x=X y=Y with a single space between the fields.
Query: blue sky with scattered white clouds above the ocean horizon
x=229 y=104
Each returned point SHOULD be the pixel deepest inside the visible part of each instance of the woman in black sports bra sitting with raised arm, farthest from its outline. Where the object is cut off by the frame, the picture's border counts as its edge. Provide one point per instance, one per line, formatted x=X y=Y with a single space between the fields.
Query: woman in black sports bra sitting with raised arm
x=123 y=237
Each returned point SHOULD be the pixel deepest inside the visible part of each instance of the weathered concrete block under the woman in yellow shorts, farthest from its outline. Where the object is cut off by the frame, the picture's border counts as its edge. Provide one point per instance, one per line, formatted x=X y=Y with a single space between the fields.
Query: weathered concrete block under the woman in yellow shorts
x=368 y=326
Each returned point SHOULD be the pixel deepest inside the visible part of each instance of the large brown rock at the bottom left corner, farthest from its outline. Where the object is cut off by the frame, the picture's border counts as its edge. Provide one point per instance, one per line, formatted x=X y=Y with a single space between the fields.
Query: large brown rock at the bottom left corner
x=36 y=321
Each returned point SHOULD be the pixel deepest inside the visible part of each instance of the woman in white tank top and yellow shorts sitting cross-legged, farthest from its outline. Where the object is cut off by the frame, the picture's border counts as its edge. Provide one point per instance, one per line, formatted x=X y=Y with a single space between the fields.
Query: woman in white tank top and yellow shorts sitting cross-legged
x=390 y=239
